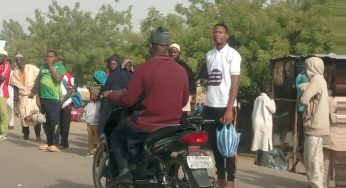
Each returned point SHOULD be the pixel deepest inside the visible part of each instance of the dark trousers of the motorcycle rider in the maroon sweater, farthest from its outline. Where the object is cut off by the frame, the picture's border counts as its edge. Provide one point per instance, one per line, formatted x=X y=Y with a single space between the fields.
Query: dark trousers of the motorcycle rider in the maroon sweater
x=126 y=144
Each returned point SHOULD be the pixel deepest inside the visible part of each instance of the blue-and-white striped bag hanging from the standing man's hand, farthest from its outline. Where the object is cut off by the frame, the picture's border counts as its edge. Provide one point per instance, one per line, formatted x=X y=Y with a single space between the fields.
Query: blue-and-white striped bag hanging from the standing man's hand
x=227 y=140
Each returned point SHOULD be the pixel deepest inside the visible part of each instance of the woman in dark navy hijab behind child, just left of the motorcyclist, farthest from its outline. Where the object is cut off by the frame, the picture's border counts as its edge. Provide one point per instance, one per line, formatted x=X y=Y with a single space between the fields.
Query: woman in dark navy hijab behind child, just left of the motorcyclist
x=117 y=81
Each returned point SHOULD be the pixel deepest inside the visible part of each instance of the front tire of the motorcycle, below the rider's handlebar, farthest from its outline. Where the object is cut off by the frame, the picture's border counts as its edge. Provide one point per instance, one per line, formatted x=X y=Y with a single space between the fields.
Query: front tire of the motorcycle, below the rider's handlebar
x=100 y=172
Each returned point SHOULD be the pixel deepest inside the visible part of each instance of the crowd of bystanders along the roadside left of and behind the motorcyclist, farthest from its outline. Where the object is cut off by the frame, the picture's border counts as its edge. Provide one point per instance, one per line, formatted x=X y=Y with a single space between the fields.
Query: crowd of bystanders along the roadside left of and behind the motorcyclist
x=45 y=92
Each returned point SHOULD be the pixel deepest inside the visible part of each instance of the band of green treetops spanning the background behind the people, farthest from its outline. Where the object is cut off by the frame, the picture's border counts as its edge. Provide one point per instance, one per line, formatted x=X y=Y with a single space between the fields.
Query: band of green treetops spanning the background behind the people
x=258 y=30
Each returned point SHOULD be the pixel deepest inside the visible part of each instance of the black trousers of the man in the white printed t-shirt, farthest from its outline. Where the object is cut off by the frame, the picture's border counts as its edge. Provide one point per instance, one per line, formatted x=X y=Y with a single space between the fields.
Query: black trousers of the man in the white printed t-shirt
x=221 y=167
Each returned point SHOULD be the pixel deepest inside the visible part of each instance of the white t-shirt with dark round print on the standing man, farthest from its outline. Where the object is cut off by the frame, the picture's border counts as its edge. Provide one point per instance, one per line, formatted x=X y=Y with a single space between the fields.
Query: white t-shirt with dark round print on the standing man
x=220 y=66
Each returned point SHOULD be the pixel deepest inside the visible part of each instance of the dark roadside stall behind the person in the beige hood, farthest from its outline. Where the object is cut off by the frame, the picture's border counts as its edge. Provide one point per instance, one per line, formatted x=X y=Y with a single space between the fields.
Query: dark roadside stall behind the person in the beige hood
x=288 y=125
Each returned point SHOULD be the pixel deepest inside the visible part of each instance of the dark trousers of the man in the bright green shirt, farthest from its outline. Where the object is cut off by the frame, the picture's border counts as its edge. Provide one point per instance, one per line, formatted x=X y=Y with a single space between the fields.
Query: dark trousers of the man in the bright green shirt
x=51 y=108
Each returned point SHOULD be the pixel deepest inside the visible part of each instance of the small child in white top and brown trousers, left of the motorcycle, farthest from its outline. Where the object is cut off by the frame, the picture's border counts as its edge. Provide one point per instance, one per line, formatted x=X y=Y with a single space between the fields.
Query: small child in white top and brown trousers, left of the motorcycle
x=91 y=116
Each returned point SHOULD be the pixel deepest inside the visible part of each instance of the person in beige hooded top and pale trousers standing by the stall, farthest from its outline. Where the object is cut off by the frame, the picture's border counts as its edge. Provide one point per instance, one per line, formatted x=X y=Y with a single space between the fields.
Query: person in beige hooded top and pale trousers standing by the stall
x=316 y=120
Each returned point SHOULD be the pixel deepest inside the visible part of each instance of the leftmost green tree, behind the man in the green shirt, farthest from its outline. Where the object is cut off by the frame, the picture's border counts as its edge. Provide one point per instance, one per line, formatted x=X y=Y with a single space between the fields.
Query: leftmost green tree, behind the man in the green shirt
x=83 y=41
